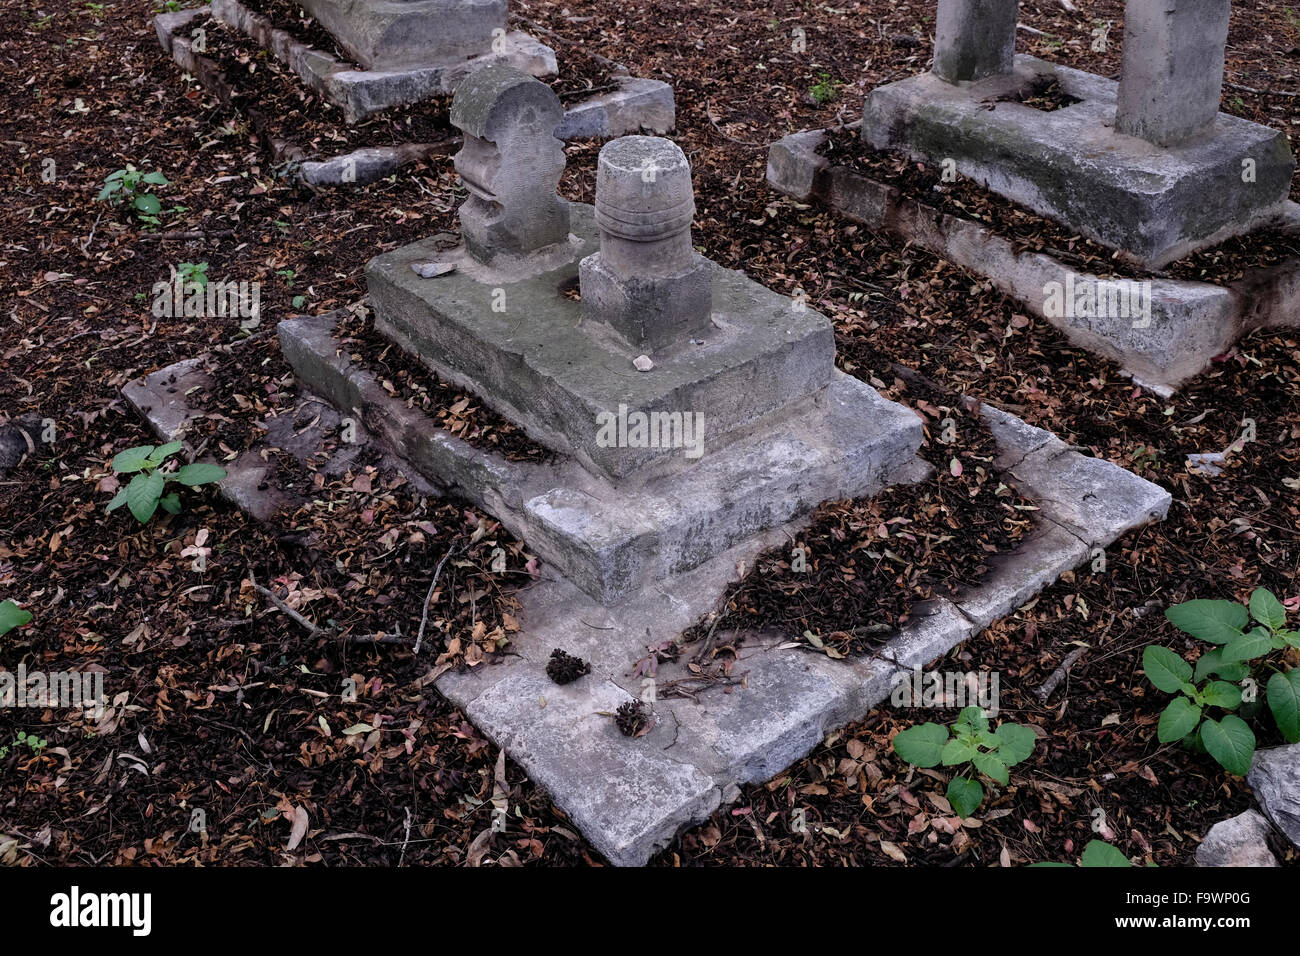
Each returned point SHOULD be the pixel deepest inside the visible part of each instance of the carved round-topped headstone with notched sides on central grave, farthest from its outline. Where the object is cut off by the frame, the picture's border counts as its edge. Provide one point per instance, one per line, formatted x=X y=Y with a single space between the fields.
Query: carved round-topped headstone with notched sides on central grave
x=512 y=163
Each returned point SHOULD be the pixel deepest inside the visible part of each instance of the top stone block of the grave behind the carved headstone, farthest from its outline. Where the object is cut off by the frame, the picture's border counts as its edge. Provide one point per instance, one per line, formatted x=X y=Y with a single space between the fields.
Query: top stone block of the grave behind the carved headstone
x=402 y=34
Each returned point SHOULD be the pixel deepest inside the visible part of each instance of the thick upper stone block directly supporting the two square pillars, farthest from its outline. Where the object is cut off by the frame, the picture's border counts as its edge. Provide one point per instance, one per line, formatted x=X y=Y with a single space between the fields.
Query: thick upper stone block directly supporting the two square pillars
x=1156 y=204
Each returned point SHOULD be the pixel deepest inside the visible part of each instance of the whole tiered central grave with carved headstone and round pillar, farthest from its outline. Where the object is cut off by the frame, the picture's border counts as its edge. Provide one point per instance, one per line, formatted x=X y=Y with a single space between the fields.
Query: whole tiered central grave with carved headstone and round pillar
x=694 y=417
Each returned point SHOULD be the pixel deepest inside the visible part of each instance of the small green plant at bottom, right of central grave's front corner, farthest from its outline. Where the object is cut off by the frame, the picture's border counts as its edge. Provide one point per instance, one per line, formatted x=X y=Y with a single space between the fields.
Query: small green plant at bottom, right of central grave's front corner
x=970 y=746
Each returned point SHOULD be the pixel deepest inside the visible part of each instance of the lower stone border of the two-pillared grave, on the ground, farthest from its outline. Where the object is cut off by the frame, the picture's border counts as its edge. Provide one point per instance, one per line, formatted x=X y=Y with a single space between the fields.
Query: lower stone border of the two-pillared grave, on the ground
x=1190 y=323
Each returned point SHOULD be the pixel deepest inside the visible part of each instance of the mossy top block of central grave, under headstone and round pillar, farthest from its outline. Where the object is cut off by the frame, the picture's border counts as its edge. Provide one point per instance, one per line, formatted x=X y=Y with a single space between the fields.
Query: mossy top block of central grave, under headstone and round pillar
x=523 y=345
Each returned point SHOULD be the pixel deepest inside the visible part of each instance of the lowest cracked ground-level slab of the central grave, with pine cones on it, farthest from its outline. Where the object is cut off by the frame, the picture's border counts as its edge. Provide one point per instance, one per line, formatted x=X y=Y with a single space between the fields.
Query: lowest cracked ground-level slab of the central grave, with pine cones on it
x=631 y=797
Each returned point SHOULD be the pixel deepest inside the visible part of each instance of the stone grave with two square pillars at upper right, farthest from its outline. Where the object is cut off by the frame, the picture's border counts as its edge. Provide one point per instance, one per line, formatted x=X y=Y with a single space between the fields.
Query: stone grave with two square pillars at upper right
x=1147 y=167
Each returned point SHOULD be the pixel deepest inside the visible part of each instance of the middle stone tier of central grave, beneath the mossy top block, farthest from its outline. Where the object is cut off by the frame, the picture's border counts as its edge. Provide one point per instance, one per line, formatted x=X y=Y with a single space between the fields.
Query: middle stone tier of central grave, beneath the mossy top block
x=843 y=440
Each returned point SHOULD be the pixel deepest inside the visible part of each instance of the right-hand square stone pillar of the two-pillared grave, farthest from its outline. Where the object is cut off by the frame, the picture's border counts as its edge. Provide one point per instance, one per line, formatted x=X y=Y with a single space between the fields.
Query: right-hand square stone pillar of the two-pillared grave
x=1173 y=68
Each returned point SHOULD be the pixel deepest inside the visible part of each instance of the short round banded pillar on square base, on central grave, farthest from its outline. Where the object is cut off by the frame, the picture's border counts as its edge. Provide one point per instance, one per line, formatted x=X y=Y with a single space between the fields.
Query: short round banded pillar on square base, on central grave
x=647 y=282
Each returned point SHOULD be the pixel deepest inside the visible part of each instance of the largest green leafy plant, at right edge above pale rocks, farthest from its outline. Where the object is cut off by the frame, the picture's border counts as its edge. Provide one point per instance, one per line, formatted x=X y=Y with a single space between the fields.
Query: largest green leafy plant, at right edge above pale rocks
x=1215 y=682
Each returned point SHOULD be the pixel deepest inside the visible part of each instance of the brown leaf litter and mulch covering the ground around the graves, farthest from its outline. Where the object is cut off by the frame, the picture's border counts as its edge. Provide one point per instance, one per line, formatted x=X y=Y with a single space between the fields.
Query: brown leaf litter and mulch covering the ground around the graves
x=223 y=703
